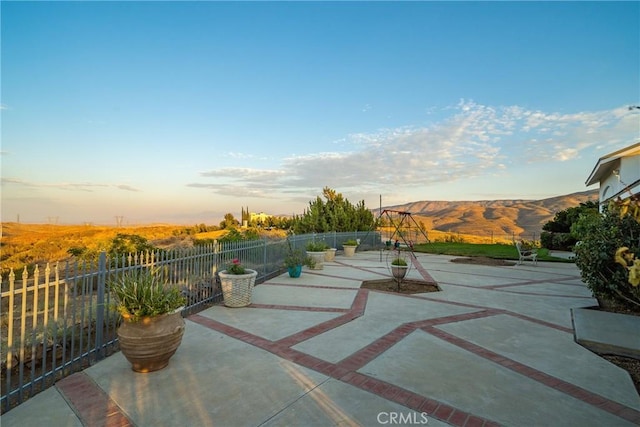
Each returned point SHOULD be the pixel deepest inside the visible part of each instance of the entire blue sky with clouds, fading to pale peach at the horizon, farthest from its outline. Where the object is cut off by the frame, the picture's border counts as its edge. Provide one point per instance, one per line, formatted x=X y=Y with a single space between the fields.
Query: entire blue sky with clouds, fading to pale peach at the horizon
x=183 y=111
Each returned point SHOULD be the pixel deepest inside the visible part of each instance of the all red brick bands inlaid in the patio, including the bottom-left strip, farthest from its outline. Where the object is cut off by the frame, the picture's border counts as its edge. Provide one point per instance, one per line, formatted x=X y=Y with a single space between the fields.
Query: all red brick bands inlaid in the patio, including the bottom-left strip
x=95 y=408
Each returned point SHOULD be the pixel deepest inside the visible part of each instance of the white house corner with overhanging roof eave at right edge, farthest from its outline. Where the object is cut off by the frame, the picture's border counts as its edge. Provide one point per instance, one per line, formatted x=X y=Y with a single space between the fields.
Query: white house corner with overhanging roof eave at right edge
x=618 y=174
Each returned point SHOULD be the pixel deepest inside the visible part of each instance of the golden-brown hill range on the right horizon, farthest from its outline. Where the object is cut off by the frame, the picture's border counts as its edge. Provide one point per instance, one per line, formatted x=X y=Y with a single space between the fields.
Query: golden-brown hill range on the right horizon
x=497 y=217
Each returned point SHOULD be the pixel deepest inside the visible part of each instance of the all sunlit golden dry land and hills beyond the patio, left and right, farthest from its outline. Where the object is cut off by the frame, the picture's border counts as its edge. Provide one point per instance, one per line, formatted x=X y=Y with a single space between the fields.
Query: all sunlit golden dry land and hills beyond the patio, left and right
x=472 y=221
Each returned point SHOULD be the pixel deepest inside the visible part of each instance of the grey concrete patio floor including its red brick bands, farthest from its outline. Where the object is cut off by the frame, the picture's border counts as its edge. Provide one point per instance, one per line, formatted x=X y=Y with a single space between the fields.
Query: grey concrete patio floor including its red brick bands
x=495 y=347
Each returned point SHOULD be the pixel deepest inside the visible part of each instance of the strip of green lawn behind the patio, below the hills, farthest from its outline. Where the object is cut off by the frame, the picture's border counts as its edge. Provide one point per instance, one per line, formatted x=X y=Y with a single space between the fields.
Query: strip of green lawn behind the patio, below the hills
x=498 y=251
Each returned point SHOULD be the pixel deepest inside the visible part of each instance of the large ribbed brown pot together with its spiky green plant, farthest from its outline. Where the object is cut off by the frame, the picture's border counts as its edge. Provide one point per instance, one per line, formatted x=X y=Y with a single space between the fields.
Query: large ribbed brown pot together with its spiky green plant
x=152 y=326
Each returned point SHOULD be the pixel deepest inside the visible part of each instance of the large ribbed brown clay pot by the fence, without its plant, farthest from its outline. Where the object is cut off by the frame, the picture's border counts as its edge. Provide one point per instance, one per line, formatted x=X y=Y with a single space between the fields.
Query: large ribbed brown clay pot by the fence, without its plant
x=149 y=343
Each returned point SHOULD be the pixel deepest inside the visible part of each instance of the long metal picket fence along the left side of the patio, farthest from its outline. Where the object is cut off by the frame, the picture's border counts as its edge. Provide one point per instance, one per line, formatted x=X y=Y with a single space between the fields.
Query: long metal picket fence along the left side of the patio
x=59 y=320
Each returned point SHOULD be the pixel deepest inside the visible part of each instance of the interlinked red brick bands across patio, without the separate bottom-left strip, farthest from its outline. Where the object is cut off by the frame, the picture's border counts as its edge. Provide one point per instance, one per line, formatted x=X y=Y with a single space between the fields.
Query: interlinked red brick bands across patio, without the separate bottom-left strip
x=346 y=369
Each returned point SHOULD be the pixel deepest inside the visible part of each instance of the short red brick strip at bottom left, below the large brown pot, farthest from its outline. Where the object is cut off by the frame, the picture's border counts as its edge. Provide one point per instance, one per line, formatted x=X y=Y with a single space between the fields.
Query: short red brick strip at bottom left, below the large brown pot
x=90 y=403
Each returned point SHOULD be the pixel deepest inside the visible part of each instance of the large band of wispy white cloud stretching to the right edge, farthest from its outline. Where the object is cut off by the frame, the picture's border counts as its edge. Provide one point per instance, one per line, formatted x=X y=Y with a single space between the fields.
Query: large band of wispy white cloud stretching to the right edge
x=476 y=140
